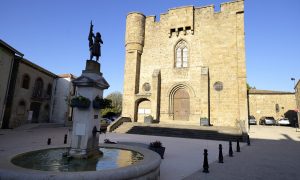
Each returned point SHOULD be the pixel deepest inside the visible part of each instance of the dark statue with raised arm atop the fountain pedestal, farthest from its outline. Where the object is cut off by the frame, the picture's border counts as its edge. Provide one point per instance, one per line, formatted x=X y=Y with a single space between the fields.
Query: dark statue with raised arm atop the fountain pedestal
x=95 y=44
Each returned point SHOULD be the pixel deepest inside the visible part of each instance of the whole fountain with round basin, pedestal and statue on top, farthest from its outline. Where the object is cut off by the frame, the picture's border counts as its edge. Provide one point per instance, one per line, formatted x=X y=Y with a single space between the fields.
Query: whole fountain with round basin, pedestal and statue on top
x=85 y=158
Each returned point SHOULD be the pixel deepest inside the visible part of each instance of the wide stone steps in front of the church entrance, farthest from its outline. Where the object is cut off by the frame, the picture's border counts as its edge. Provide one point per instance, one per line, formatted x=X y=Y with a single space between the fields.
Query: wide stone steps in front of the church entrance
x=184 y=131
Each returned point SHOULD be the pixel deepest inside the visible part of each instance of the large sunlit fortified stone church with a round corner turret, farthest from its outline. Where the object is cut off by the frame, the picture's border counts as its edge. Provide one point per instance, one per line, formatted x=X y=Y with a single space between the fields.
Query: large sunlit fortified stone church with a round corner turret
x=188 y=65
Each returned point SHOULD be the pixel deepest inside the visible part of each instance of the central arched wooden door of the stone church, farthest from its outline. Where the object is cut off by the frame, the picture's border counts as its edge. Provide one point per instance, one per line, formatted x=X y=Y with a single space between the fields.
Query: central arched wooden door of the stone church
x=181 y=105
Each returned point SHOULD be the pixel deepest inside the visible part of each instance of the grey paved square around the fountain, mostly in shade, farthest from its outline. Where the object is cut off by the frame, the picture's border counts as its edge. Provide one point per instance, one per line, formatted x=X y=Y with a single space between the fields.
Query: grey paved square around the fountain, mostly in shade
x=273 y=154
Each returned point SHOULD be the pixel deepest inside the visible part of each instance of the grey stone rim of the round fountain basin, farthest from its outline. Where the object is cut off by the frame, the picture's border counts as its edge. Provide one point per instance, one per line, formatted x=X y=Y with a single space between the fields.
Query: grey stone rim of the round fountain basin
x=149 y=168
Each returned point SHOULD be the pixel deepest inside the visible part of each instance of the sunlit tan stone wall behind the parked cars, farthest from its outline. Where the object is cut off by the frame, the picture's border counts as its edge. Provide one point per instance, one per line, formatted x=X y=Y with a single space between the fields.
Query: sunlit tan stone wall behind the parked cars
x=264 y=104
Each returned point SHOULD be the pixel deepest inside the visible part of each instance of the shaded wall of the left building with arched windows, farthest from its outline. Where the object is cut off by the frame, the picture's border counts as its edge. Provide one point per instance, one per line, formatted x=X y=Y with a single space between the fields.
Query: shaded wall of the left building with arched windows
x=19 y=115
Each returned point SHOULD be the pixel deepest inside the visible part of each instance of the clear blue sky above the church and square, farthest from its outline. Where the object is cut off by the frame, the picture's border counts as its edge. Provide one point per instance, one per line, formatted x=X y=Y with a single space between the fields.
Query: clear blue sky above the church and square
x=53 y=34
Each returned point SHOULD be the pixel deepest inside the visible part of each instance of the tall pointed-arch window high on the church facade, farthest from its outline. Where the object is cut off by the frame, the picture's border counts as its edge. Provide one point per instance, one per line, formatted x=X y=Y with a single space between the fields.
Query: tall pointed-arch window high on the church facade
x=181 y=53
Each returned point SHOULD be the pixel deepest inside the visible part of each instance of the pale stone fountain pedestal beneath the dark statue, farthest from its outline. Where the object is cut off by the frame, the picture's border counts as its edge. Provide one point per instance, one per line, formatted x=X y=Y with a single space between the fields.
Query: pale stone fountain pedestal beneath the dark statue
x=90 y=84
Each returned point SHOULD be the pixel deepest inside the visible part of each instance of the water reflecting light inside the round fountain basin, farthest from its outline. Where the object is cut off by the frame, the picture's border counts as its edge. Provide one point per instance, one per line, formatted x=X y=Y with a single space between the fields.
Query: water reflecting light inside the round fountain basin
x=53 y=160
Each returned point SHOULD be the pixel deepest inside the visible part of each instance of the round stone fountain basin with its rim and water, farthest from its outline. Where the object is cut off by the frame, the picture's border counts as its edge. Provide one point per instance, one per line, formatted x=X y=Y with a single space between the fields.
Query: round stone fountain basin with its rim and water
x=138 y=163
